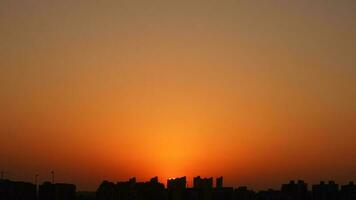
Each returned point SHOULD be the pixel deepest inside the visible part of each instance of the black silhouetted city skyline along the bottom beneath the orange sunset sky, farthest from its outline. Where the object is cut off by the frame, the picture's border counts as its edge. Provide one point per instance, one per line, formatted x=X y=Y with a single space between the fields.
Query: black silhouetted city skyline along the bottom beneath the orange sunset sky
x=176 y=189
